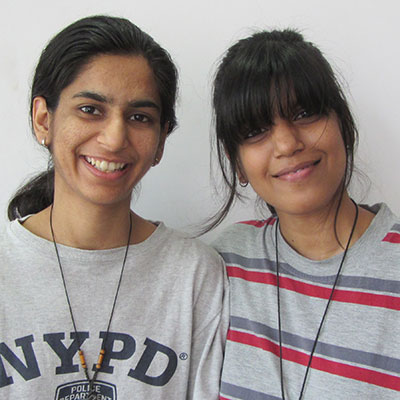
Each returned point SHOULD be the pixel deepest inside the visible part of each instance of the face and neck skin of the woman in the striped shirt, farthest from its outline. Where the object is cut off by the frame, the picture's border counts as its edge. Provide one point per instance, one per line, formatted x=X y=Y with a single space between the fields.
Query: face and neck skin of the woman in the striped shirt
x=297 y=166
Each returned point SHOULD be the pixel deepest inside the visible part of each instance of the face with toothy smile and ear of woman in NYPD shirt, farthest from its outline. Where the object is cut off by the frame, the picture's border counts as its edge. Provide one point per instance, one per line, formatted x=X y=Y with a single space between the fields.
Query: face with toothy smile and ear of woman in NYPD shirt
x=105 y=132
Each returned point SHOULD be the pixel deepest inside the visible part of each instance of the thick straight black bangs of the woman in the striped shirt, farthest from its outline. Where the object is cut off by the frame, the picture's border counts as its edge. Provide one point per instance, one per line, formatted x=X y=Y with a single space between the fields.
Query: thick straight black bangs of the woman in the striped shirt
x=265 y=83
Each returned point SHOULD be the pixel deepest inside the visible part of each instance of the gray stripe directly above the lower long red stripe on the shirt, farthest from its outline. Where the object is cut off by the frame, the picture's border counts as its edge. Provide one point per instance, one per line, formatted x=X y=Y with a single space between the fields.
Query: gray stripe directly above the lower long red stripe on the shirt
x=337 y=352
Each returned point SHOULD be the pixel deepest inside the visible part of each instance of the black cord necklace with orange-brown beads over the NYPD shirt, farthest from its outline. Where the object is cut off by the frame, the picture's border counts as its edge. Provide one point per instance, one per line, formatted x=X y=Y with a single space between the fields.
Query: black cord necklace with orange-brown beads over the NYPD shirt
x=91 y=394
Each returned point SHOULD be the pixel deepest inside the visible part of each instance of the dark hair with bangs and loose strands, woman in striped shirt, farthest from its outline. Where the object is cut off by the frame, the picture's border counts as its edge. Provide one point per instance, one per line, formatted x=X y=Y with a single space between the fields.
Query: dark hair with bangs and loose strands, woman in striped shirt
x=266 y=74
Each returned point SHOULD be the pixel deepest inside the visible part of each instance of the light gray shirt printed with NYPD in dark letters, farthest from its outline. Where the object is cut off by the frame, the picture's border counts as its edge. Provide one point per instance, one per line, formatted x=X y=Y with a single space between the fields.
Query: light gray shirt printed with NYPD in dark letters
x=167 y=334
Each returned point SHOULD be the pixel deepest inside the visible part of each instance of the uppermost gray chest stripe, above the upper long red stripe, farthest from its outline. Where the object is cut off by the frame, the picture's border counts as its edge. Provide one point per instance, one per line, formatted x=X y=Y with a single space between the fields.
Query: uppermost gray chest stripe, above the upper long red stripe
x=346 y=281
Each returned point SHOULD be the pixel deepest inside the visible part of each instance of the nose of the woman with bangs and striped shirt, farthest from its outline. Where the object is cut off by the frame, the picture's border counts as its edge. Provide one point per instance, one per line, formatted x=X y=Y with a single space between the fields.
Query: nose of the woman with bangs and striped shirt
x=286 y=138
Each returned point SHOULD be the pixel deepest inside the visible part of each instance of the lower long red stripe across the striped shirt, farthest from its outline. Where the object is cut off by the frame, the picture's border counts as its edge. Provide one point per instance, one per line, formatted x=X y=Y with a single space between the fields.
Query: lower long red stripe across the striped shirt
x=319 y=363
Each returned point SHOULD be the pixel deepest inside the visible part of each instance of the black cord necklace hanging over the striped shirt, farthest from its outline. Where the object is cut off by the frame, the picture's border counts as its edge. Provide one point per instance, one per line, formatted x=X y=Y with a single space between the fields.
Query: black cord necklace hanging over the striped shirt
x=323 y=316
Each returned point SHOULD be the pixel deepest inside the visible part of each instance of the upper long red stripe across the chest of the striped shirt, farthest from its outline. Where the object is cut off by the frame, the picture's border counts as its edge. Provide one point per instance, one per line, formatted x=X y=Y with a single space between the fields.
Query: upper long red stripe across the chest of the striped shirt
x=344 y=296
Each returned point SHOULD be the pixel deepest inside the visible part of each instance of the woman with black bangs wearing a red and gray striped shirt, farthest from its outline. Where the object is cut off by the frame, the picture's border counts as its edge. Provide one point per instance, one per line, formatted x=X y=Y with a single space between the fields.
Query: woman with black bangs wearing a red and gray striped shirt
x=315 y=287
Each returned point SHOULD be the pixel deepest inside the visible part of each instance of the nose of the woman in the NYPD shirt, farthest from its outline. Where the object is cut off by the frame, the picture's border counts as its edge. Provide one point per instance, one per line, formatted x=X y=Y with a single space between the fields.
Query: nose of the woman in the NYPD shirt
x=114 y=134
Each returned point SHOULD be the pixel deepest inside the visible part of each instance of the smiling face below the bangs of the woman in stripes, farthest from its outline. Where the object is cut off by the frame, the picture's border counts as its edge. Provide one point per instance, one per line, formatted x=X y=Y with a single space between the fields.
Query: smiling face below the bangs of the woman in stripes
x=296 y=166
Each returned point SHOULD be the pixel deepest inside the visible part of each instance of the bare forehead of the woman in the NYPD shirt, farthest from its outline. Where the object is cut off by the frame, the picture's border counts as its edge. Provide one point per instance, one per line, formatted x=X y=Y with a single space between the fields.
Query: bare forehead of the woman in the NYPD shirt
x=121 y=78
